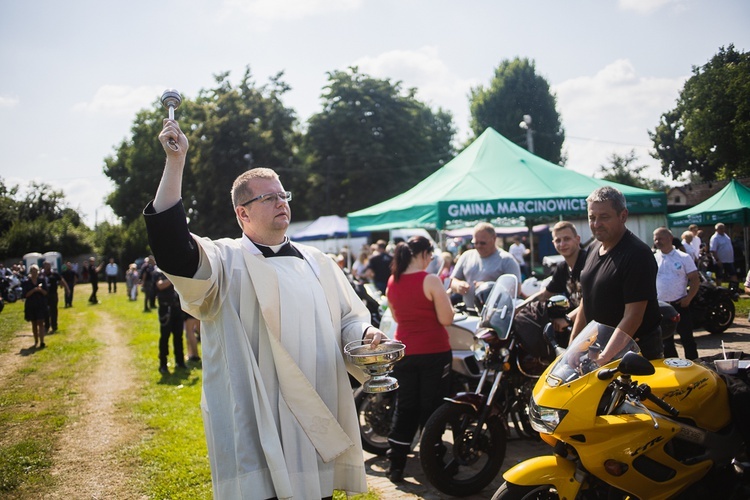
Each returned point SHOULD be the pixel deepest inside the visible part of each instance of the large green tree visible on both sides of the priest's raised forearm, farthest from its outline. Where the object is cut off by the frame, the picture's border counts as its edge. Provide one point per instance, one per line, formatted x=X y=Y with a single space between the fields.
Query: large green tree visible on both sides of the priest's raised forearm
x=230 y=129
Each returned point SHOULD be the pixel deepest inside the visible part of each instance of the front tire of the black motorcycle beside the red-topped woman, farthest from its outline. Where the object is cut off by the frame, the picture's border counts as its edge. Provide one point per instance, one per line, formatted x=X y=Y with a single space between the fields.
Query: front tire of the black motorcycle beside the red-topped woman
x=448 y=461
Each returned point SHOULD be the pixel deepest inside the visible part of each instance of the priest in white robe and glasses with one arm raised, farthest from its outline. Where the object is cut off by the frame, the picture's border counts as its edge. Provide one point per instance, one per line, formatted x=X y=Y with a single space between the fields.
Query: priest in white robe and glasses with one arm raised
x=277 y=403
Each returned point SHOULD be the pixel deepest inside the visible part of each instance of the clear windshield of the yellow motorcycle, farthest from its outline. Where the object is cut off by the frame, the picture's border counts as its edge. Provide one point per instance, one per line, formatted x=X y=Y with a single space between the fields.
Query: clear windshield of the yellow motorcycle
x=596 y=346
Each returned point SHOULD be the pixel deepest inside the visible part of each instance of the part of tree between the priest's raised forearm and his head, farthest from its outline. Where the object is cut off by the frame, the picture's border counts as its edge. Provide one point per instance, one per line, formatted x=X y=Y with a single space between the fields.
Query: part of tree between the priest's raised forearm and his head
x=242 y=127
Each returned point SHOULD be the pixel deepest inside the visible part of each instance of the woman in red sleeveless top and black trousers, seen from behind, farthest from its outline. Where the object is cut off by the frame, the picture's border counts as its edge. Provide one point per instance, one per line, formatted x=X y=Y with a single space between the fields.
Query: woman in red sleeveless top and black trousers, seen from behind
x=422 y=309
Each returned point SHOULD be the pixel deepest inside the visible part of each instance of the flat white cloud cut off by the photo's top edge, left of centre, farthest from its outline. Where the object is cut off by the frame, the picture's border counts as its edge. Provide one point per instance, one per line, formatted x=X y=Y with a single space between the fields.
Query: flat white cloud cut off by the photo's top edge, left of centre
x=288 y=9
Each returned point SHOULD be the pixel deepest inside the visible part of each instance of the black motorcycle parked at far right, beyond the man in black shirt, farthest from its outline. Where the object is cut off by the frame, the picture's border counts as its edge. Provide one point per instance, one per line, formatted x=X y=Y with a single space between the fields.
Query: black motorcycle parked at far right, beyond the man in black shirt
x=713 y=306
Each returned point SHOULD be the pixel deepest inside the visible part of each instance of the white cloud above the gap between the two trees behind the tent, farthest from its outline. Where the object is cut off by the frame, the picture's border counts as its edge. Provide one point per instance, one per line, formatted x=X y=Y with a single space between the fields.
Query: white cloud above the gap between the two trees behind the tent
x=425 y=70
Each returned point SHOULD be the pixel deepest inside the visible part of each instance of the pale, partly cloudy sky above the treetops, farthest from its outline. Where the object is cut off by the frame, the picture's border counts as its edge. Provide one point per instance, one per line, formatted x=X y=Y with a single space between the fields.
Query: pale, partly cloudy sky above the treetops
x=75 y=73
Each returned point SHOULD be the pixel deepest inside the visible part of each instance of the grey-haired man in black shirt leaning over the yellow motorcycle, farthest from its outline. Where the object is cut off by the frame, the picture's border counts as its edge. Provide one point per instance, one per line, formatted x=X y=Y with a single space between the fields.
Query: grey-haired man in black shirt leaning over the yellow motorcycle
x=618 y=280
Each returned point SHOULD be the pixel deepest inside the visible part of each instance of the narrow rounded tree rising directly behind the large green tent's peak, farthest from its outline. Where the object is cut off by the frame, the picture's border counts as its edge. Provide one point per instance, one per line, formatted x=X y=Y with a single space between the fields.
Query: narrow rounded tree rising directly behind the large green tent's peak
x=516 y=90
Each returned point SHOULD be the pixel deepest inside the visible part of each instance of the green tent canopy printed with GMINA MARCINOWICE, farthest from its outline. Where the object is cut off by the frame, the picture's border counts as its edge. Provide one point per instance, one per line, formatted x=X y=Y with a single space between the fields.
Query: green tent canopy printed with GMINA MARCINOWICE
x=494 y=178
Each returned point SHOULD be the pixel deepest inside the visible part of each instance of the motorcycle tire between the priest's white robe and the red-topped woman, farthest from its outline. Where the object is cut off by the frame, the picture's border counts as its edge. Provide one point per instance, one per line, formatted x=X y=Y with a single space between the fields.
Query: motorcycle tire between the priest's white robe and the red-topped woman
x=375 y=414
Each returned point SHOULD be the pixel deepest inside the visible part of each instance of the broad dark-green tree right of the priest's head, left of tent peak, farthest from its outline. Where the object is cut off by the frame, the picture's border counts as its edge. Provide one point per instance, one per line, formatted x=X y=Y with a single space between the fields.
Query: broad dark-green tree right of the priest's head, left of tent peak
x=371 y=141
